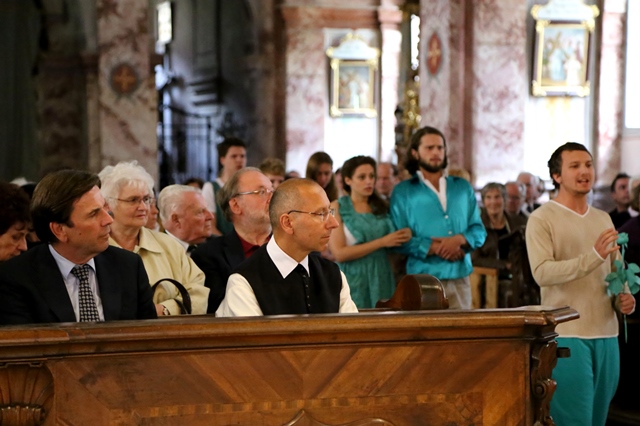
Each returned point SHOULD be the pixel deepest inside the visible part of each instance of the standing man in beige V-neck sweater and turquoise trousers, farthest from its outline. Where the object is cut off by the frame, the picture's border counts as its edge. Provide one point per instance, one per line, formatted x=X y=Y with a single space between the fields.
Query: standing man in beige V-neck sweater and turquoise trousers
x=572 y=248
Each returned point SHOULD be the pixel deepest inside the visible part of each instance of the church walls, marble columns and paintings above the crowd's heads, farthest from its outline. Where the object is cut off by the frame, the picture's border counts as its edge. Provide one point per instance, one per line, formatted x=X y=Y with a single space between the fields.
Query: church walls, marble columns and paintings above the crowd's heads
x=87 y=83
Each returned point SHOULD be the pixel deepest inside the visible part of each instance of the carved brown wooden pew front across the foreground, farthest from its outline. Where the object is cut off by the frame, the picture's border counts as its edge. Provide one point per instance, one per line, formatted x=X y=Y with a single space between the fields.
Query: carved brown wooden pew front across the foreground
x=434 y=367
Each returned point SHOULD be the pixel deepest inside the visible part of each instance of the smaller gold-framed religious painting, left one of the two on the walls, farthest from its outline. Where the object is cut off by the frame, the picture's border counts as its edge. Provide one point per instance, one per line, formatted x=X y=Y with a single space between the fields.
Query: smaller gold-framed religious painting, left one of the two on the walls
x=353 y=87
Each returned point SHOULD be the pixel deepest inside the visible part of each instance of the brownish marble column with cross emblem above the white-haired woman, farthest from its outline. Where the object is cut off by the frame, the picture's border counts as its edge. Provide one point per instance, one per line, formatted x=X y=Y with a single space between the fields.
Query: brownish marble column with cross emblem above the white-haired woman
x=125 y=119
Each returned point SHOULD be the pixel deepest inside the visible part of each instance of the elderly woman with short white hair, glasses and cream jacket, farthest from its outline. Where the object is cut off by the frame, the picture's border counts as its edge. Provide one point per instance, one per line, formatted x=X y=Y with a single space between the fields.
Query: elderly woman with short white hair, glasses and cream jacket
x=128 y=191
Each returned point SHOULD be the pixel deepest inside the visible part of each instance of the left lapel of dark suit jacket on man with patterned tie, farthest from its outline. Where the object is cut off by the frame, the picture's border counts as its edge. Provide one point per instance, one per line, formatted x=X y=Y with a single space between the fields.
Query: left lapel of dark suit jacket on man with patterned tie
x=52 y=286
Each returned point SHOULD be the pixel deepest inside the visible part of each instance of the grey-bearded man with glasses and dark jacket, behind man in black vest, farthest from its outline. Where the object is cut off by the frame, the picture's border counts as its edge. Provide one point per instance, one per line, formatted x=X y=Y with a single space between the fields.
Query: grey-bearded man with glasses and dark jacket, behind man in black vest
x=244 y=201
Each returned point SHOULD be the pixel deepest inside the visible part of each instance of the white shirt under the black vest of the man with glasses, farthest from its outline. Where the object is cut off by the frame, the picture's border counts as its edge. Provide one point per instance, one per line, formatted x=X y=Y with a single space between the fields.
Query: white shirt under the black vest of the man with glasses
x=240 y=301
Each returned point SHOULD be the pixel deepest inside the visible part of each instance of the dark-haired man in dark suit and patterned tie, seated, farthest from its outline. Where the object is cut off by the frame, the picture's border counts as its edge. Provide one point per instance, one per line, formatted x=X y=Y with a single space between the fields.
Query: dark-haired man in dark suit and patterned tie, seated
x=76 y=276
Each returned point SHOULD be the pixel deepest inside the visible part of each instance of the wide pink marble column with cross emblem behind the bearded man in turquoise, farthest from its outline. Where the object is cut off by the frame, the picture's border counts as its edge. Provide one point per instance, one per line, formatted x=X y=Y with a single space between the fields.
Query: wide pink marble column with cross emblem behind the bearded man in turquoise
x=475 y=88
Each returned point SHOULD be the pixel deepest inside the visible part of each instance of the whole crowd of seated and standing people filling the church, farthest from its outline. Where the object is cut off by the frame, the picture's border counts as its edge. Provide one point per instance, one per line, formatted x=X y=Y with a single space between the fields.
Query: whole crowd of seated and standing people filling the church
x=261 y=241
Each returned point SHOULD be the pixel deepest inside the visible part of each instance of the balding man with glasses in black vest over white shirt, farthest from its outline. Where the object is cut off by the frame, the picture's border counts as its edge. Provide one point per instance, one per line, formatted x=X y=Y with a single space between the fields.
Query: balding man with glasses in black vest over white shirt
x=287 y=275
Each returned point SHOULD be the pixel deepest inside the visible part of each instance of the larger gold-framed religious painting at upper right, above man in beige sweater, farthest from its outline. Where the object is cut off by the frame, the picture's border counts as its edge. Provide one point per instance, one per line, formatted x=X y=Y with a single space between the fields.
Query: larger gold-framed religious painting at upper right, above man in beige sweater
x=561 y=62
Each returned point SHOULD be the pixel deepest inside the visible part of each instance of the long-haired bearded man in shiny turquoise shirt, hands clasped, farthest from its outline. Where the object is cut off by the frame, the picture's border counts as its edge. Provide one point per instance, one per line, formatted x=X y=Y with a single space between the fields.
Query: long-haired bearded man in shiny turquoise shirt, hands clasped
x=443 y=215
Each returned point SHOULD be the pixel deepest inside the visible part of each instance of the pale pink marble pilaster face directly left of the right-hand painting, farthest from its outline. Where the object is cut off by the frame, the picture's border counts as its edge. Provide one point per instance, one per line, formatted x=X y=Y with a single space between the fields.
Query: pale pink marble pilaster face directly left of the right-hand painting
x=500 y=89
